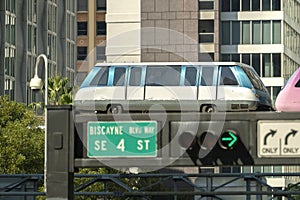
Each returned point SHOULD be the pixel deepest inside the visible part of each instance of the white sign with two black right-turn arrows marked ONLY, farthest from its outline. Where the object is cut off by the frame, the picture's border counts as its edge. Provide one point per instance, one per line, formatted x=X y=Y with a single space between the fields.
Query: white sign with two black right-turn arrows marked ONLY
x=278 y=138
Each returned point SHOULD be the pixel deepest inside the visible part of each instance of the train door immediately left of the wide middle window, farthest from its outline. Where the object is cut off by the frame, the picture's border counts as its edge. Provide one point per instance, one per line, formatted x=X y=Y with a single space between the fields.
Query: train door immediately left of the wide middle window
x=136 y=82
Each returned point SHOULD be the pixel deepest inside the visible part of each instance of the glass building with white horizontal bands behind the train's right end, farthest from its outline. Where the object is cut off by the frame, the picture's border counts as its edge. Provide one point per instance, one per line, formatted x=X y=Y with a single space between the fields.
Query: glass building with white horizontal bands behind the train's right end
x=261 y=33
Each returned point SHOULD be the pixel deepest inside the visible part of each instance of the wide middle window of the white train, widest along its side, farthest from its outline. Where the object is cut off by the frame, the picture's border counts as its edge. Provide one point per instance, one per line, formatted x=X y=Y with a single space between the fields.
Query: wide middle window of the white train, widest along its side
x=163 y=76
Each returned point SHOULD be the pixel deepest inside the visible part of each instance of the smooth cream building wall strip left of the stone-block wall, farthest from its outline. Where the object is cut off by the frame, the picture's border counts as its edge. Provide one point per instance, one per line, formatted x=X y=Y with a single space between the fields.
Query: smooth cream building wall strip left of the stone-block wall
x=123 y=21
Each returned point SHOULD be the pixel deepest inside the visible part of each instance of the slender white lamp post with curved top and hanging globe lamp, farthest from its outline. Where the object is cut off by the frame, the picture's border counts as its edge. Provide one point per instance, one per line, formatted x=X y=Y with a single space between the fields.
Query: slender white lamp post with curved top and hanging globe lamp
x=36 y=84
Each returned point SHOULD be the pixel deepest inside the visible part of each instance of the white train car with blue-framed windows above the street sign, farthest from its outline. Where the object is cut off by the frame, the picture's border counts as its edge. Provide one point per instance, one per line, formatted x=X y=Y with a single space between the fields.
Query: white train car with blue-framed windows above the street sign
x=172 y=86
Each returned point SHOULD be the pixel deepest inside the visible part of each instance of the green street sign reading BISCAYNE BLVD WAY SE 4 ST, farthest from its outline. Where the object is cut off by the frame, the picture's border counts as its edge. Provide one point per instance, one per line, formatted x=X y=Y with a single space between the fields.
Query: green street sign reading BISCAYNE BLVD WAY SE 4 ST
x=122 y=139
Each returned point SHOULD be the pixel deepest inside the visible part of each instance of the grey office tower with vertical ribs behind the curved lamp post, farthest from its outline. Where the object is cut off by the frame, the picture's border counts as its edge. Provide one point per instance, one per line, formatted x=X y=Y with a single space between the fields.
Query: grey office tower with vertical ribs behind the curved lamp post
x=31 y=28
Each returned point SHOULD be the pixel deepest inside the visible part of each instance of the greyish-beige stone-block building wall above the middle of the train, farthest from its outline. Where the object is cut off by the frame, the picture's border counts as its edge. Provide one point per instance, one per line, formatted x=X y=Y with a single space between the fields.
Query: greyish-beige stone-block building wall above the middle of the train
x=169 y=30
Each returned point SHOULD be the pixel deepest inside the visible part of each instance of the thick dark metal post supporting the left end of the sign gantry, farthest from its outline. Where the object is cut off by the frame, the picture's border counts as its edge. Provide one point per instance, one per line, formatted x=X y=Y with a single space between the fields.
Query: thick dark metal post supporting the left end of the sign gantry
x=60 y=153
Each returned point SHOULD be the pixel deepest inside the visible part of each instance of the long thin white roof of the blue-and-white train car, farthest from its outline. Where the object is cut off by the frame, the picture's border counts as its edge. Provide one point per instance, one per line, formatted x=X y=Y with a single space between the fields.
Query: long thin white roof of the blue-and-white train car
x=170 y=63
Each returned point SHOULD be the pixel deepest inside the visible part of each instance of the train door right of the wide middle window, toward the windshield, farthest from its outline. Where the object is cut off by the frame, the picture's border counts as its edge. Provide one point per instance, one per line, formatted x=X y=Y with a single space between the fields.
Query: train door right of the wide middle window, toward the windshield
x=207 y=87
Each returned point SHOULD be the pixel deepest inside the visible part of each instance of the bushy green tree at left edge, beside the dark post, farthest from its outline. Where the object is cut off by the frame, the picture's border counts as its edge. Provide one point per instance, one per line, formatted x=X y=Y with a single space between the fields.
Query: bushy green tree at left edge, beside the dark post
x=21 y=139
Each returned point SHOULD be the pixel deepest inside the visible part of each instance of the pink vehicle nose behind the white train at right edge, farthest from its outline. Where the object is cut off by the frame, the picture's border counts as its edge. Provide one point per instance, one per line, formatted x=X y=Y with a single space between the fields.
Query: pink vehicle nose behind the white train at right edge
x=288 y=100
